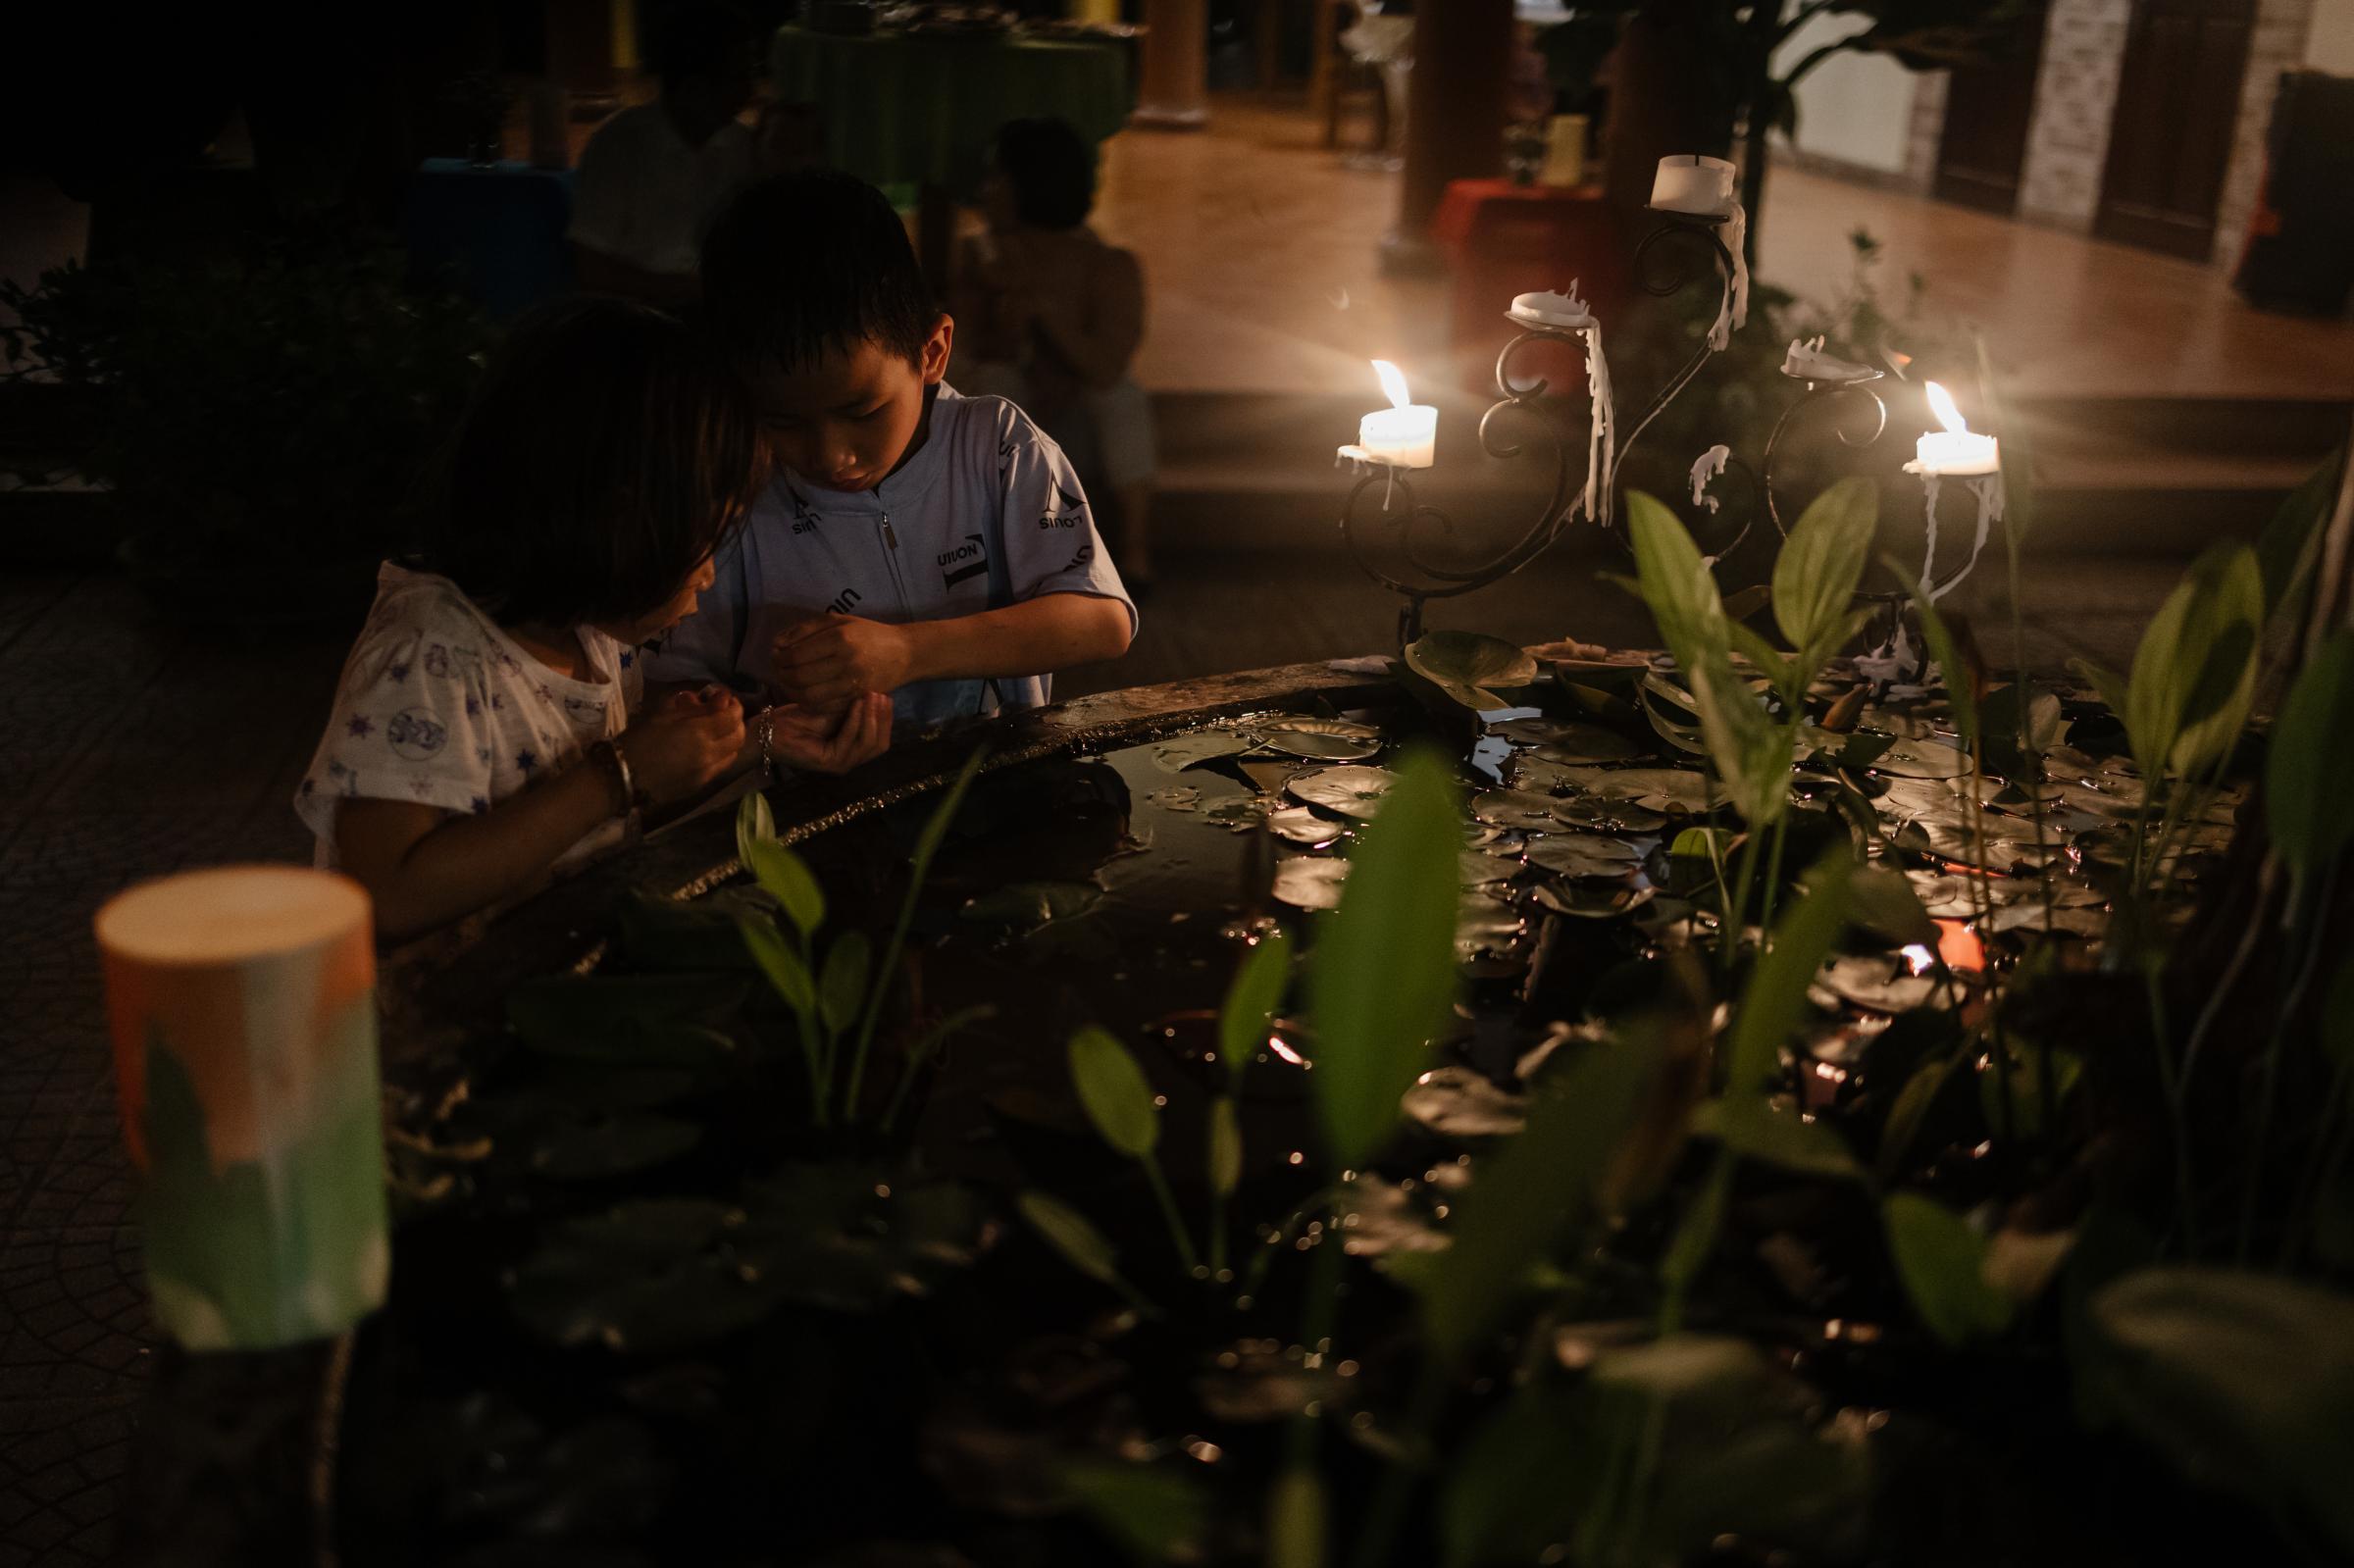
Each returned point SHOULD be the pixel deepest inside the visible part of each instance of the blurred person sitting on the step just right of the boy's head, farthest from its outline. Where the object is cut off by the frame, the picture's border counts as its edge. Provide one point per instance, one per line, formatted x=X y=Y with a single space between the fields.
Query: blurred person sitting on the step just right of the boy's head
x=1051 y=317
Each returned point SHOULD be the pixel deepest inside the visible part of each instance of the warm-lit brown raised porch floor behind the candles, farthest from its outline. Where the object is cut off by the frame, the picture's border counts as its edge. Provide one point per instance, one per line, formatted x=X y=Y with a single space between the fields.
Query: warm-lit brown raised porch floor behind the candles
x=1263 y=263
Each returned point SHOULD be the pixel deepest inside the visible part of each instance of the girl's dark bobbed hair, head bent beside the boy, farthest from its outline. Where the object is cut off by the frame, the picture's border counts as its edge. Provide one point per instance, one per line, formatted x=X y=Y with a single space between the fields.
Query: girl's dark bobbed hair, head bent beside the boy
x=601 y=460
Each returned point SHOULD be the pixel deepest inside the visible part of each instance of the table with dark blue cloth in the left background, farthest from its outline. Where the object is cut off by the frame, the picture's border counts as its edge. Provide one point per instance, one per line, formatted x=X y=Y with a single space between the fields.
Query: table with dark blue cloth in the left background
x=500 y=230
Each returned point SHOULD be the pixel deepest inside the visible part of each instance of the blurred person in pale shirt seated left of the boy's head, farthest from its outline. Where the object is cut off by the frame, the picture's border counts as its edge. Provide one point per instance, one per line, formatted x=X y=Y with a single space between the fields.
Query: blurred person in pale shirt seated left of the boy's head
x=653 y=175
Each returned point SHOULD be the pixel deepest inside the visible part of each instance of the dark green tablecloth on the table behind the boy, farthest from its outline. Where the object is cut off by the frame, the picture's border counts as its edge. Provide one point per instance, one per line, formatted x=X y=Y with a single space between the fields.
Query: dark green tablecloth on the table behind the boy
x=910 y=109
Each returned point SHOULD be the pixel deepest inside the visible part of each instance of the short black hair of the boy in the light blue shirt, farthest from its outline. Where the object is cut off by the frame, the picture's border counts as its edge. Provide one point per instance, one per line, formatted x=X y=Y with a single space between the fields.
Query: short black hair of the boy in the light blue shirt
x=809 y=265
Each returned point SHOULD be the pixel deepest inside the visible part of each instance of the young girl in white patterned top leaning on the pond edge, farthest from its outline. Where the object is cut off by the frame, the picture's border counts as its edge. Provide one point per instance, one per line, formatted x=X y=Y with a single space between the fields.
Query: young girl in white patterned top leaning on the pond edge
x=481 y=733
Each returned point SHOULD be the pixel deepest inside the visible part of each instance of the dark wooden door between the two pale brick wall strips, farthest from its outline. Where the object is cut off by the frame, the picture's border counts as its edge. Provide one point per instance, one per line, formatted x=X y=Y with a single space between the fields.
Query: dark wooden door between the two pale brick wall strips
x=2176 y=114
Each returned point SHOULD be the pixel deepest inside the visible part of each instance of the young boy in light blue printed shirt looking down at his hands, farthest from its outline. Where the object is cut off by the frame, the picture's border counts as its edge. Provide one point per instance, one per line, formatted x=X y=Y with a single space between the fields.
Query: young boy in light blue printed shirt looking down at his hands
x=915 y=543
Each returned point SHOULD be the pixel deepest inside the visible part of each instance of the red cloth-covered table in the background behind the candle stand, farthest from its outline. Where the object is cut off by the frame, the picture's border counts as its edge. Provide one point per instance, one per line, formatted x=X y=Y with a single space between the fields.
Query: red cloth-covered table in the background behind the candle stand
x=1501 y=241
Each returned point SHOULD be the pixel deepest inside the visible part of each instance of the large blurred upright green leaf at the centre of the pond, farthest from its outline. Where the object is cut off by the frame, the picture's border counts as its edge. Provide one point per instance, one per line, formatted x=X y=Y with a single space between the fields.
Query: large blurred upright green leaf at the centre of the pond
x=1383 y=978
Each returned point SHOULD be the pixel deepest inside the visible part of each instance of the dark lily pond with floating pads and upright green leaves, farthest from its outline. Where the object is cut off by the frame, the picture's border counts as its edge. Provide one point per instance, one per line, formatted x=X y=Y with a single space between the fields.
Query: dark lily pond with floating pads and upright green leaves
x=1555 y=1105
